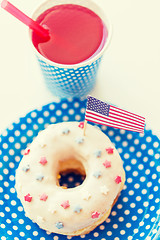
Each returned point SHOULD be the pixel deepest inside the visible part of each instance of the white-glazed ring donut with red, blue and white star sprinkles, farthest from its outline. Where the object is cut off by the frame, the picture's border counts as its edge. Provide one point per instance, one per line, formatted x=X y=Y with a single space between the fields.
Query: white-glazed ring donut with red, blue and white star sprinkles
x=64 y=147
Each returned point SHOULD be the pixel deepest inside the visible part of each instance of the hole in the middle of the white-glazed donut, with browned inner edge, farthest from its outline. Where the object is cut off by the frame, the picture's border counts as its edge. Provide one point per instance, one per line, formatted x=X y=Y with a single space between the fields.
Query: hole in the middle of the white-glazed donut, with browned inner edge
x=71 y=173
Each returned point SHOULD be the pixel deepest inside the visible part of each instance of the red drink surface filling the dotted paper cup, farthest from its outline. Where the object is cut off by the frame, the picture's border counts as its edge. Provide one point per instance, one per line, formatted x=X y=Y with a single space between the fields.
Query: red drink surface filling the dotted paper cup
x=76 y=33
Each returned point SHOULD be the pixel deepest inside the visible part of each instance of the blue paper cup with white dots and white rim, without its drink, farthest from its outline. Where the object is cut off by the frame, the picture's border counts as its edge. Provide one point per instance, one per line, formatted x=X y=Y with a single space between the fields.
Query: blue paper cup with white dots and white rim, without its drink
x=76 y=80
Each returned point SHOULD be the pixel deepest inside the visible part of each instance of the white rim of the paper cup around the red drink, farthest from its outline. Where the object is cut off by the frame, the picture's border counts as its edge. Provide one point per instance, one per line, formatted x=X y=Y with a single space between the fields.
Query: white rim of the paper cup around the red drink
x=86 y=62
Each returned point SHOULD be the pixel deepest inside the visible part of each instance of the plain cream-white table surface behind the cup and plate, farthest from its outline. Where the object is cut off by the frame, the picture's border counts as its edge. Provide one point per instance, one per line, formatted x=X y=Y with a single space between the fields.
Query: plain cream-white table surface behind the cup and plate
x=129 y=75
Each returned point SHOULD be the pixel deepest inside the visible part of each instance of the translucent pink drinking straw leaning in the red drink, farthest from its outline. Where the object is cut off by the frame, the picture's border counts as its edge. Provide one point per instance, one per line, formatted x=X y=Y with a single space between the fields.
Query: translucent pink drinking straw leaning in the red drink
x=42 y=32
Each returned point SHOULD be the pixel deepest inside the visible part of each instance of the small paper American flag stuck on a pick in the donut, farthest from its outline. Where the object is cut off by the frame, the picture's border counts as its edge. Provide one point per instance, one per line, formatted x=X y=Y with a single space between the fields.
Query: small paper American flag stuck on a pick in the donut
x=100 y=112
